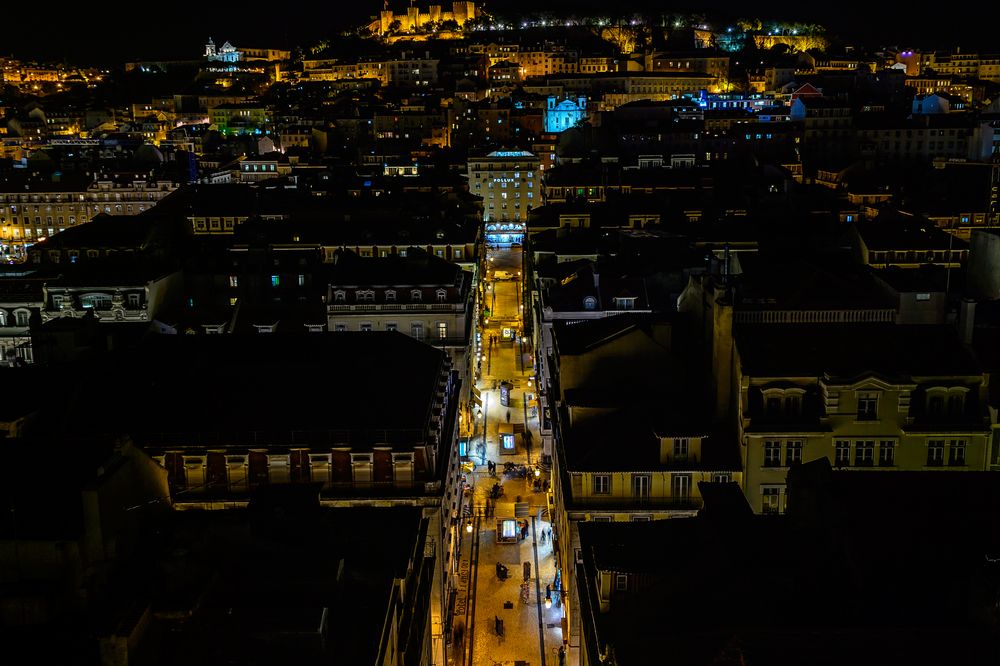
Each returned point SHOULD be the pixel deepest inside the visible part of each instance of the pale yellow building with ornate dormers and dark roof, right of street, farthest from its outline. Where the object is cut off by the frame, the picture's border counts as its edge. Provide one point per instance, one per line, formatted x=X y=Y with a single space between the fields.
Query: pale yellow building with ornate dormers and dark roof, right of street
x=866 y=396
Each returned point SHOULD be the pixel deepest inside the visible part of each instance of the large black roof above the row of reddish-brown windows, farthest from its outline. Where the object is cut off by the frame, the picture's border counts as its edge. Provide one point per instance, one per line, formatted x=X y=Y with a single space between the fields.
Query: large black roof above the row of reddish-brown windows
x=370 y=387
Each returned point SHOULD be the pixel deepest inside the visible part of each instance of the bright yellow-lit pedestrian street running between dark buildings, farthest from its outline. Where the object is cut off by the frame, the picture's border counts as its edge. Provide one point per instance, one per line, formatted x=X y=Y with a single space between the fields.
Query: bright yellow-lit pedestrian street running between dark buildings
x=507 y=621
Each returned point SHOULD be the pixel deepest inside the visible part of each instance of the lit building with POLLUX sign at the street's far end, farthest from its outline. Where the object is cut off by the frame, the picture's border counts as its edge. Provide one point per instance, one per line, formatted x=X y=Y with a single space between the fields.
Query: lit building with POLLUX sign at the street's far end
x=507 y=180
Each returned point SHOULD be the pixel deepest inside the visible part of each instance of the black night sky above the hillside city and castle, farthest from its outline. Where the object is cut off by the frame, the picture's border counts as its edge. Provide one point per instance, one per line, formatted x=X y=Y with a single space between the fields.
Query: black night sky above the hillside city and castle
x=116 y=31
